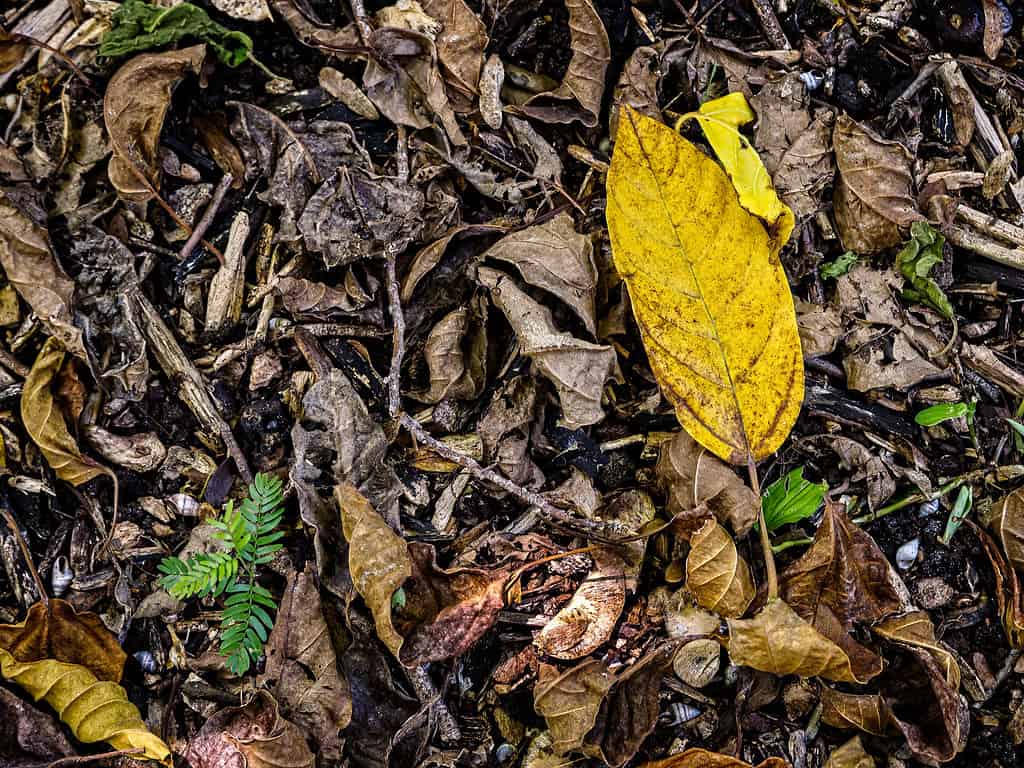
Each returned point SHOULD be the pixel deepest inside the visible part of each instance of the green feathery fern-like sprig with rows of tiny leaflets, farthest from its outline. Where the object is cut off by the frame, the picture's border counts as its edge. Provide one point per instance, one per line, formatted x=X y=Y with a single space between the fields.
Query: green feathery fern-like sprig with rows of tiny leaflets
x=250 y=530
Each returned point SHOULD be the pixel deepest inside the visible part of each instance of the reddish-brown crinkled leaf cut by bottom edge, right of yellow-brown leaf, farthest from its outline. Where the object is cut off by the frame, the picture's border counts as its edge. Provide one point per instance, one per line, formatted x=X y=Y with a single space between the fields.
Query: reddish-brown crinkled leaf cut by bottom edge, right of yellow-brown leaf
x=251 y=737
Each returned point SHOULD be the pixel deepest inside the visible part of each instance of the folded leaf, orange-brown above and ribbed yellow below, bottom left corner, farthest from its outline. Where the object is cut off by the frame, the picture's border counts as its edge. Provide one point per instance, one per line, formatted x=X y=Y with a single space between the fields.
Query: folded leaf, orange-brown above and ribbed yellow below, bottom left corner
x=74 y=664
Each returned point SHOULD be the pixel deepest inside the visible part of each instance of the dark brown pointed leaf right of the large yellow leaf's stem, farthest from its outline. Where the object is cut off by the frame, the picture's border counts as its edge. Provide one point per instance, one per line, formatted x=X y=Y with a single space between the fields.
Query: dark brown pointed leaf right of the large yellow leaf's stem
x=844 y=571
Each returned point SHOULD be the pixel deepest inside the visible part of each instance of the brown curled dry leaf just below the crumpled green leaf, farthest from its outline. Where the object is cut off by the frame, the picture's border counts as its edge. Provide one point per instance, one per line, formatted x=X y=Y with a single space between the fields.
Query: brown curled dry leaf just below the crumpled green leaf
x=135 y=106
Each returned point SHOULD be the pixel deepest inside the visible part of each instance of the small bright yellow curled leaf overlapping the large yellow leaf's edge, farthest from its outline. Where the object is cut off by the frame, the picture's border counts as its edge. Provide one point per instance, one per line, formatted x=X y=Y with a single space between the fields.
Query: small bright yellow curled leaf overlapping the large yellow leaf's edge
x=720 y=120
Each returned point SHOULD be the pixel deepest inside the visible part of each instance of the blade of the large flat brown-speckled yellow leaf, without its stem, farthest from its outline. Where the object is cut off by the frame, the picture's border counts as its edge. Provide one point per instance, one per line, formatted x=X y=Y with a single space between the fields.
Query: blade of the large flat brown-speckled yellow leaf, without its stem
x=708 y=292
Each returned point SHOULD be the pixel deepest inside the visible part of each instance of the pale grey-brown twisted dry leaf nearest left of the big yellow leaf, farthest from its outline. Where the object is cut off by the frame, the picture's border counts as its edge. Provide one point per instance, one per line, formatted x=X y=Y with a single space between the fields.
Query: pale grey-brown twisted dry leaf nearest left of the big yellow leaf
x=578 y=369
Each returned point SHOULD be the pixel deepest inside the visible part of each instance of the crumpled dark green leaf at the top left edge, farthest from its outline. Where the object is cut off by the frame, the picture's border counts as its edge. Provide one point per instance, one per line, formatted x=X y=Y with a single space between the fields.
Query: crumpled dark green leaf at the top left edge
x=140 y=27
